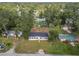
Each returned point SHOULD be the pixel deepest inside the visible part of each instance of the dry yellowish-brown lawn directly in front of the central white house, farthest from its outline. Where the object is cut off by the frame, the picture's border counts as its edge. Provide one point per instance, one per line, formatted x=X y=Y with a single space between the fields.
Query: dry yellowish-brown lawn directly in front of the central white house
x=31 y=46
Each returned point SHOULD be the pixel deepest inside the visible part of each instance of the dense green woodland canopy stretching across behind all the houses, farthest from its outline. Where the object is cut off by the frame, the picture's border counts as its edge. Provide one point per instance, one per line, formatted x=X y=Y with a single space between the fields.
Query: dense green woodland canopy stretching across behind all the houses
x=21 y=16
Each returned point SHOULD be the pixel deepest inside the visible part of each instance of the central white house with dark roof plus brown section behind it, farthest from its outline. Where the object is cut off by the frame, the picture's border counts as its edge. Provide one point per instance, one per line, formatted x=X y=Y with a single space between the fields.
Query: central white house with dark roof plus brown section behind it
x=38 y=33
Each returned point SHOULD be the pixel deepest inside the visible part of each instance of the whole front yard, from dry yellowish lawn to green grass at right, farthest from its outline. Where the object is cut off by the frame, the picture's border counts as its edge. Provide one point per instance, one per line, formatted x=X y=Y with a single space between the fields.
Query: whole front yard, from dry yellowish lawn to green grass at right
x=49 y=47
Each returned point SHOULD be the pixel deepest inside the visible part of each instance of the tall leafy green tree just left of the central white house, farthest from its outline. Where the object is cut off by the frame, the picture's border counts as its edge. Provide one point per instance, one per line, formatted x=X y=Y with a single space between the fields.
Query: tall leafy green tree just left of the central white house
x=24 y=22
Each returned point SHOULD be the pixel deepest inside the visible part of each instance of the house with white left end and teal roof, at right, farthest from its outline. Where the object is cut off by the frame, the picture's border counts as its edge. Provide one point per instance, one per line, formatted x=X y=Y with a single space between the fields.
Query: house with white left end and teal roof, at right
x=67 y=37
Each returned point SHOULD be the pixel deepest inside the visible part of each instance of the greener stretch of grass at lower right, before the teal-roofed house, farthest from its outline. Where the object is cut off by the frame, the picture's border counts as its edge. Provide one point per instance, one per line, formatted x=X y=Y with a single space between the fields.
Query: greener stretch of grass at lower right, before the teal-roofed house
x=63 y=49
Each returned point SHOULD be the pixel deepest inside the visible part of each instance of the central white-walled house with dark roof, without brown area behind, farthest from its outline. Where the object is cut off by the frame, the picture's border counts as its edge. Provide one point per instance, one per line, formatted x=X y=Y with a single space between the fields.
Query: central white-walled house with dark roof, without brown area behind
x=38 y=36
